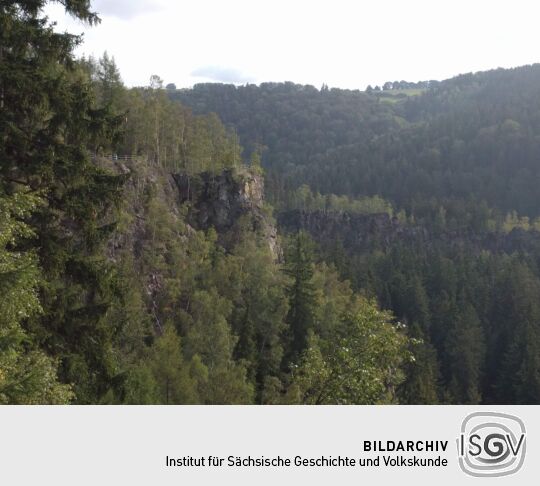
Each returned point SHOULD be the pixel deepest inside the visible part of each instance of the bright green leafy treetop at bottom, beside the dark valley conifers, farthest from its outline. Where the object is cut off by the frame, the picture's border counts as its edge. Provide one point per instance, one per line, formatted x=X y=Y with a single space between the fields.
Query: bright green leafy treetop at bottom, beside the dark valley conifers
x=360 y=364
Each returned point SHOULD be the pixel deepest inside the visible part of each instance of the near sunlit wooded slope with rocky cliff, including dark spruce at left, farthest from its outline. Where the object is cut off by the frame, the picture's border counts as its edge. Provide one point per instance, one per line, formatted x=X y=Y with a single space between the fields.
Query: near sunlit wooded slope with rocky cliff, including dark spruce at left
x=139 y=260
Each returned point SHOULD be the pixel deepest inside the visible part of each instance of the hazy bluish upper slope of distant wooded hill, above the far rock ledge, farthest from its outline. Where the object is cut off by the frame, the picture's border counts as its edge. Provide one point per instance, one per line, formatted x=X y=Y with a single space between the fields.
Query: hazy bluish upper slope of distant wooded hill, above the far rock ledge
x=470 y=138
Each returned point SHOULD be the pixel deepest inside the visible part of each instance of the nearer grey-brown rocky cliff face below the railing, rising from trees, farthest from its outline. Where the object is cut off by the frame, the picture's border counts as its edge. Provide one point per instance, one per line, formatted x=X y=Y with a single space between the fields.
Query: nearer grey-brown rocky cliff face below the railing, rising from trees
x=160 y=210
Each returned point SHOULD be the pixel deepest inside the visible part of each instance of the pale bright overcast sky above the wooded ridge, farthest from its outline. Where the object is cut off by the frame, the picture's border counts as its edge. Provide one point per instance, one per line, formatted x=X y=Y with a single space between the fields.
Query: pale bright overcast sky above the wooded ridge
x=347 y=44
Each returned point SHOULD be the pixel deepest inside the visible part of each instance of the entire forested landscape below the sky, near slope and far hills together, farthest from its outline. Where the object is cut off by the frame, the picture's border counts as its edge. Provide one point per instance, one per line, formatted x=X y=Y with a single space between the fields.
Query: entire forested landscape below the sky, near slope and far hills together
x=272 y=244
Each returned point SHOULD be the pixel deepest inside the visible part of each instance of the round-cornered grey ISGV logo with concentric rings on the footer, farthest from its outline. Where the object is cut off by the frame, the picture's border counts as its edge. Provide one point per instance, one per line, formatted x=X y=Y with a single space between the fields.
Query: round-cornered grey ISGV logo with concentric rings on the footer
x=491 y=444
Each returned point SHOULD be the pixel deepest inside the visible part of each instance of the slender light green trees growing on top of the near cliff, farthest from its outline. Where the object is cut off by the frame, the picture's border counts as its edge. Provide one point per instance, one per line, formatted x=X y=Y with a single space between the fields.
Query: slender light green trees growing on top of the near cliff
x=160 y=130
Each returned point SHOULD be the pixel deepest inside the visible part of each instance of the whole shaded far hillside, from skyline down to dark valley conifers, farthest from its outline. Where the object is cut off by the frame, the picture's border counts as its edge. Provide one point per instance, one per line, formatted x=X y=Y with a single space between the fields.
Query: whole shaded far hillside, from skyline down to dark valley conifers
x=428 y=200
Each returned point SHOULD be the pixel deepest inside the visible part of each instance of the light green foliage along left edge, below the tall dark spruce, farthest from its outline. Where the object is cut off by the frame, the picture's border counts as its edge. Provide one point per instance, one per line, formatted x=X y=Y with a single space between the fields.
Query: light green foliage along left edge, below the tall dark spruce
x=27 y=375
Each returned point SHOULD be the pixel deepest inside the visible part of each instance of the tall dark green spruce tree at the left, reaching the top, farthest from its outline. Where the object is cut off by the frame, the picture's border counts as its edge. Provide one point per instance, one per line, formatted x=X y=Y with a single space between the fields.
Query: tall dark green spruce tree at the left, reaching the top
x=48 y=121
